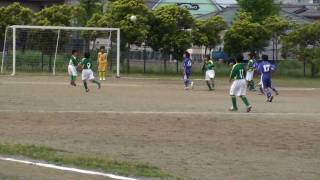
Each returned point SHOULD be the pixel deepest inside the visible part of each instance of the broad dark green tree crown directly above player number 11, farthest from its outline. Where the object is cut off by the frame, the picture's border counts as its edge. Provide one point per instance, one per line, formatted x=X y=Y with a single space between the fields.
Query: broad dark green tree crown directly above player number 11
x=245 y=35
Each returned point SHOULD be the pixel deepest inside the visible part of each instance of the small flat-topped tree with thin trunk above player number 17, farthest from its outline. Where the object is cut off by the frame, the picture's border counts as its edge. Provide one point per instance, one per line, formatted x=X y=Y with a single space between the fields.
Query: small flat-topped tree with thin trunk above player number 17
x=277 y=27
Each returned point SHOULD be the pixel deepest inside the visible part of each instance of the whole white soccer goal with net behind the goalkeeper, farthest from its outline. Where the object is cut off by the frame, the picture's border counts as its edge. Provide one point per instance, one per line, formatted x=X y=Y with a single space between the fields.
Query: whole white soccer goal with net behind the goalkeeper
x=46 y=49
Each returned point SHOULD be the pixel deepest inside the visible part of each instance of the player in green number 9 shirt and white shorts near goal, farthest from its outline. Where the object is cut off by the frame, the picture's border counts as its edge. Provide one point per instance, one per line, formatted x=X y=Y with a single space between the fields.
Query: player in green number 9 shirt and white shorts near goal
x=87 y=73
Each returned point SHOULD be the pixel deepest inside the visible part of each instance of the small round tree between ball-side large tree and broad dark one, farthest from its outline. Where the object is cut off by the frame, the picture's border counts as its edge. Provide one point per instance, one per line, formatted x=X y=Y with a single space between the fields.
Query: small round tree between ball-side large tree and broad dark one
x=208 y=32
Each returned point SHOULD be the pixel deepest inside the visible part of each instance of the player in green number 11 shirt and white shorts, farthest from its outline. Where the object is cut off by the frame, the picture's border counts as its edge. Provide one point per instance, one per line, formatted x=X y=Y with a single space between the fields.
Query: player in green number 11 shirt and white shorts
x=238 y=87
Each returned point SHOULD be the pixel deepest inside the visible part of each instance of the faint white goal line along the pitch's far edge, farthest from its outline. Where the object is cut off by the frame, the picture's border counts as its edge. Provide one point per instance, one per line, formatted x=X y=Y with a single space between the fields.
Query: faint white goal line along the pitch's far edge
x=123 y=85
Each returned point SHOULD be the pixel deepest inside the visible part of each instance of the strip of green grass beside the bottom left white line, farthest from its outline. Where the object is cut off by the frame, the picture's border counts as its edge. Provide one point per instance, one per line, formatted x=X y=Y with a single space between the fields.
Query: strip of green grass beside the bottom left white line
x=83 y=161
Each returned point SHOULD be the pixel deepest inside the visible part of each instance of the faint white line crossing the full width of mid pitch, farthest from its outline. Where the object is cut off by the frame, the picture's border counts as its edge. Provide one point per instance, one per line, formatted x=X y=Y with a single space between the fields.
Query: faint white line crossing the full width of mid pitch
x=163 y=112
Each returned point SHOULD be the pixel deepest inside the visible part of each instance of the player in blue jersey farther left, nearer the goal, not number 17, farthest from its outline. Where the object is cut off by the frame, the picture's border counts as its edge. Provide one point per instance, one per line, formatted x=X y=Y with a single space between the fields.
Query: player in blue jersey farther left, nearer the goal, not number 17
x=187 y=69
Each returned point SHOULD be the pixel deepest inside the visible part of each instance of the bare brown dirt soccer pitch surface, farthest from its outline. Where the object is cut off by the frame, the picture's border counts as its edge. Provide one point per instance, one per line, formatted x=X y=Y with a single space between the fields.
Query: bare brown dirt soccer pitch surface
x=189 y=134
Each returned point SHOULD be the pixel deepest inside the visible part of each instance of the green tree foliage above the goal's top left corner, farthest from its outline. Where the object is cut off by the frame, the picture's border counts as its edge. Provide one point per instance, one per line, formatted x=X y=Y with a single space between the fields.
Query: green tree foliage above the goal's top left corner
x=14 y=14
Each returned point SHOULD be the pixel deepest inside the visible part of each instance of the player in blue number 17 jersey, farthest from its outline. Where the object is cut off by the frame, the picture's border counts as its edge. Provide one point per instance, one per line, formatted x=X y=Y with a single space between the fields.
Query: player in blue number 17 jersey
x=265 y=68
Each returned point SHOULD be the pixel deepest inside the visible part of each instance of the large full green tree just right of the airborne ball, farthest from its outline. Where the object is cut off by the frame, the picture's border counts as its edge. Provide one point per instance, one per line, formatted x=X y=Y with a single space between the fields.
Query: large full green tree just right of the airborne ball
x=170 y=30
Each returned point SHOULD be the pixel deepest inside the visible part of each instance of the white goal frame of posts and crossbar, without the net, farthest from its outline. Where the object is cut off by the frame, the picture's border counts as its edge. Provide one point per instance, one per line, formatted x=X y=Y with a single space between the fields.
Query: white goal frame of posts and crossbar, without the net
x=15 y=27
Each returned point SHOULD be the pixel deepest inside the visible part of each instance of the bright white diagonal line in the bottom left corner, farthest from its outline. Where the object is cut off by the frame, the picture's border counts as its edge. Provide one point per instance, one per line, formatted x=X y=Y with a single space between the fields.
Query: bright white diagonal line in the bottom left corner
x=63 y=168
